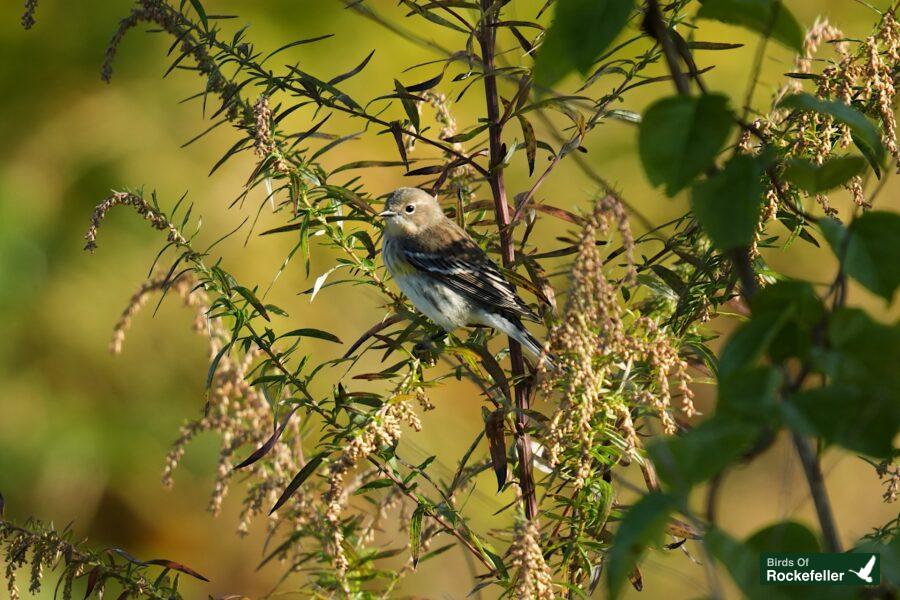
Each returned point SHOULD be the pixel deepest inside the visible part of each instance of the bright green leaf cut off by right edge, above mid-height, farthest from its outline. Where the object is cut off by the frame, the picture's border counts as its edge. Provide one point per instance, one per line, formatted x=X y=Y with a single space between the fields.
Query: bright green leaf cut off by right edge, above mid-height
x=868 y=250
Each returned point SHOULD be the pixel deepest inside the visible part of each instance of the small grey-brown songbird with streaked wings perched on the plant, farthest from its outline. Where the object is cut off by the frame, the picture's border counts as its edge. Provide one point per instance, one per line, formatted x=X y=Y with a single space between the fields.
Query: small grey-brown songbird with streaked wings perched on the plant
x=446 y=274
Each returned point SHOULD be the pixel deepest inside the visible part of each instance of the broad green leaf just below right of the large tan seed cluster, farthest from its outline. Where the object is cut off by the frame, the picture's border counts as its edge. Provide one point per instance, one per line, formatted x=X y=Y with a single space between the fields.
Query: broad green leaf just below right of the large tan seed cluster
x=692 y=458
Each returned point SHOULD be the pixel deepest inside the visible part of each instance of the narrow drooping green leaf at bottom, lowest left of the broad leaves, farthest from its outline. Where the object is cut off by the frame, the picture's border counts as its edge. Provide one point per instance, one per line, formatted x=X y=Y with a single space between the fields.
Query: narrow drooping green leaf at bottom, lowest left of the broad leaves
x=642 y=526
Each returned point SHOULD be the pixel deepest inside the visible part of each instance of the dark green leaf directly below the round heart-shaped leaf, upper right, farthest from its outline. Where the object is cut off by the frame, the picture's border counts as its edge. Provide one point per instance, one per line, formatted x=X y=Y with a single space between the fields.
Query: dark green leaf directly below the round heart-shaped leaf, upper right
x=728 y=204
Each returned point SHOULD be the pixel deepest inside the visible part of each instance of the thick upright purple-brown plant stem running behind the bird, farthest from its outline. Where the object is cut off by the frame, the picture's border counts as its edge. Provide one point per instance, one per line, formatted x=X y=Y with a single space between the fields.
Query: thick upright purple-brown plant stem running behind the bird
x=487 y=32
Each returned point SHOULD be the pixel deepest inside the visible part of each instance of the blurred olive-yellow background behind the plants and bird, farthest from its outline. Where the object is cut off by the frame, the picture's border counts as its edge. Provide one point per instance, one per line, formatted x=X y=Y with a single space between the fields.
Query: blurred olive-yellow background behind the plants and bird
x=83 y=434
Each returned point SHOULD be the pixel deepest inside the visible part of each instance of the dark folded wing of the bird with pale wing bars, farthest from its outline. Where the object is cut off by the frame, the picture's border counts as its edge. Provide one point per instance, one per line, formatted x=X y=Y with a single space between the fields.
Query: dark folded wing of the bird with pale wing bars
x=466 y=269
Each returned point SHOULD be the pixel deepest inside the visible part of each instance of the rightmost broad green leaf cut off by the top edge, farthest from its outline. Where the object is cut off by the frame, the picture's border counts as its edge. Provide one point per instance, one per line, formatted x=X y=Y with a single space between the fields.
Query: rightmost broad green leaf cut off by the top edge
x=767 y=17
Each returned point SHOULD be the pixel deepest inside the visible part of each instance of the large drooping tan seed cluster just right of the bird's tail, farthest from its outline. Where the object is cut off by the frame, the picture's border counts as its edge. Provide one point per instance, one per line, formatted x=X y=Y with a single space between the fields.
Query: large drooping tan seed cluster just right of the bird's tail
x=595 y=339
